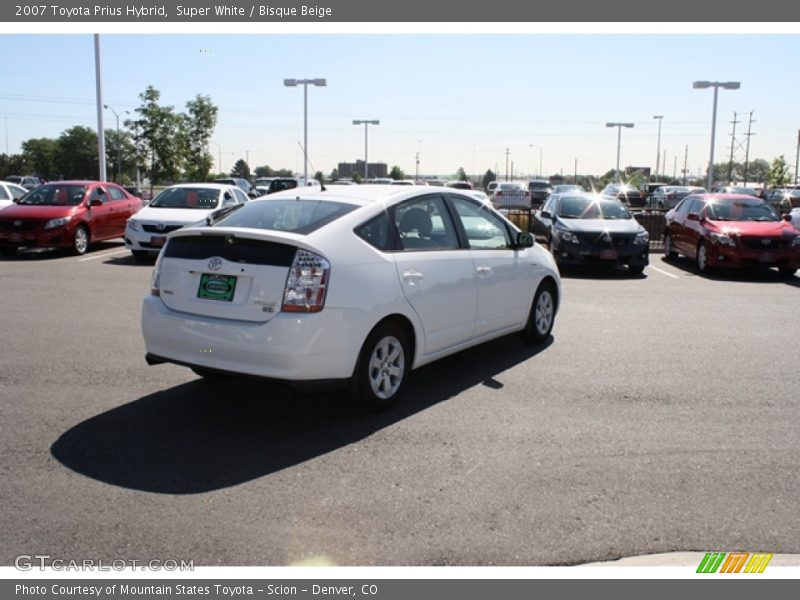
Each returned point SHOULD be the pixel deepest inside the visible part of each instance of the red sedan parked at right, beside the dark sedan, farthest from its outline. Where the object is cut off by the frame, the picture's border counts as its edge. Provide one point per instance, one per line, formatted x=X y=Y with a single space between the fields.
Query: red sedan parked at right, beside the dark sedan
x=731 y=230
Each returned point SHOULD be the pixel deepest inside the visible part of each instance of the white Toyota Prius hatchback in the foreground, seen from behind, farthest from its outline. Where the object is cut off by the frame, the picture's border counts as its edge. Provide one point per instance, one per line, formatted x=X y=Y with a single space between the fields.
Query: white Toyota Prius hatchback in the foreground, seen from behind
x=346 y=285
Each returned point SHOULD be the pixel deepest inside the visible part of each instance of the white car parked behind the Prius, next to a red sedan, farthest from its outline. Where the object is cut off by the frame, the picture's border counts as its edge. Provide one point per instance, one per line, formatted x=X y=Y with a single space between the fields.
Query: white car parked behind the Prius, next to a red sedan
x=176 y=206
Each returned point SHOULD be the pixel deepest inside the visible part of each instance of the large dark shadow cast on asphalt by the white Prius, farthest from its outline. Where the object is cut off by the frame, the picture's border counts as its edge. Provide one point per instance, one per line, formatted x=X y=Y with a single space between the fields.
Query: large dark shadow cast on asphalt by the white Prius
x=202 y=436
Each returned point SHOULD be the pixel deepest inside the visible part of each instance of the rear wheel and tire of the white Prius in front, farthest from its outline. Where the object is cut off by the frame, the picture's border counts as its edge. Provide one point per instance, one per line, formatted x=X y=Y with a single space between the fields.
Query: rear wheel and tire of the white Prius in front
x=383 y=367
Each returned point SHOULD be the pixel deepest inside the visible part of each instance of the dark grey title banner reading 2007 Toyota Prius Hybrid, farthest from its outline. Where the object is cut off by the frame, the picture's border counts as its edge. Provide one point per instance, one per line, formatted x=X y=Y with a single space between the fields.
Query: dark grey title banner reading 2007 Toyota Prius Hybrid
x=405 y=11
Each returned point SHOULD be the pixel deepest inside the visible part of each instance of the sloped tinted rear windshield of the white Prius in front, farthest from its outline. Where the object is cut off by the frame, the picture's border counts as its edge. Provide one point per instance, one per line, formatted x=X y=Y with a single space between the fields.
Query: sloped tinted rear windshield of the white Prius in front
x=296 y=216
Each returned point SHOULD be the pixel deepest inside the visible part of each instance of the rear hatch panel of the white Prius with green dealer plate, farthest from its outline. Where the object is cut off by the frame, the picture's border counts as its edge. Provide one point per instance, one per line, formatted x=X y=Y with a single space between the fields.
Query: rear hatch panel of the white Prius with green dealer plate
x=225 y=274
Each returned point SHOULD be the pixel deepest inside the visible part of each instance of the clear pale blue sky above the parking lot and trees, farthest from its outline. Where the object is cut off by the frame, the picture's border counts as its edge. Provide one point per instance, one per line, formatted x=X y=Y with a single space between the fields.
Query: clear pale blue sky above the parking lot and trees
x=454 y=99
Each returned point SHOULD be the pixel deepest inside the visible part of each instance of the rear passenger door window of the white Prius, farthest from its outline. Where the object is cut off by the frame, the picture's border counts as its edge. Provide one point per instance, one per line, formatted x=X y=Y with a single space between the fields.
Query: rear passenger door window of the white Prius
x=425 y=224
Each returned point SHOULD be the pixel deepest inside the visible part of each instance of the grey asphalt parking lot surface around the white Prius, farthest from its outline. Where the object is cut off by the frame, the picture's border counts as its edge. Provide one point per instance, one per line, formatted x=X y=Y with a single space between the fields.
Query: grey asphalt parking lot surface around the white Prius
x=662 y=416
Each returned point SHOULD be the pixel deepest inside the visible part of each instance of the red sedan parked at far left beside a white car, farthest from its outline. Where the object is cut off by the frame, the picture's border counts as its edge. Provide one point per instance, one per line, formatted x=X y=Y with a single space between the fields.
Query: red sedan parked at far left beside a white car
x=67 y=214
